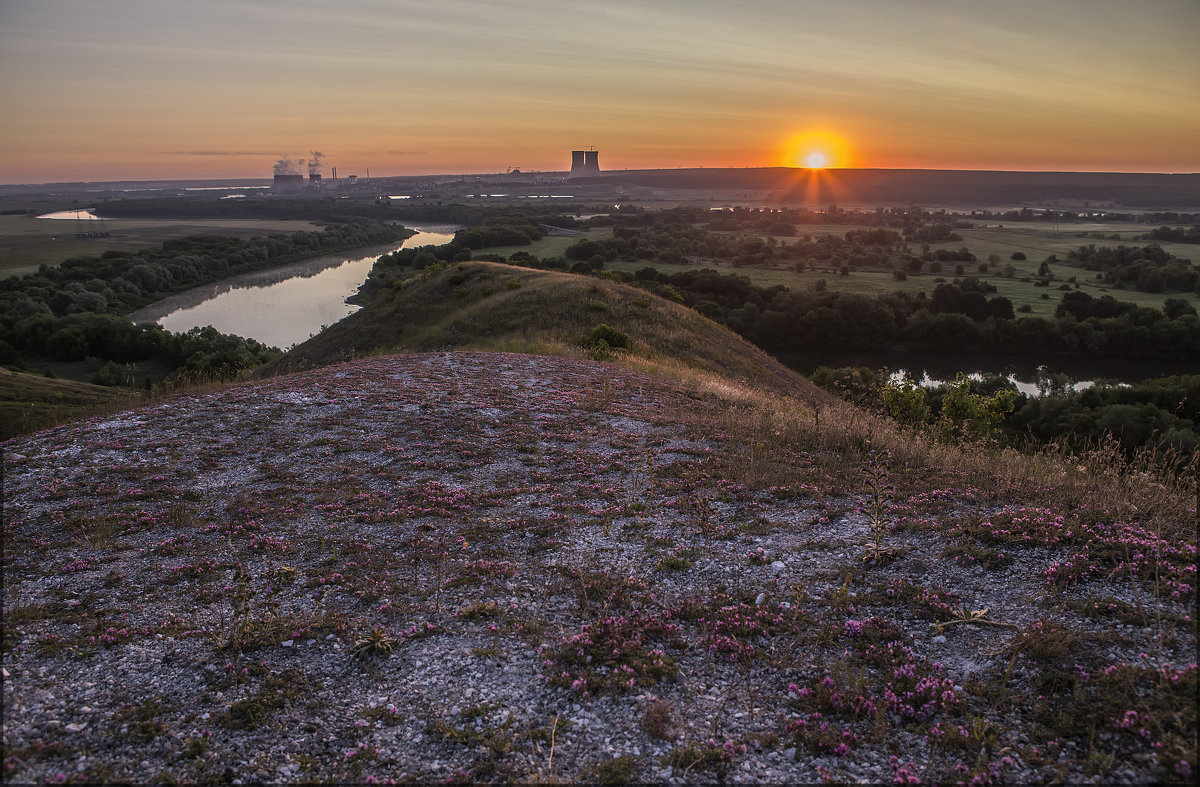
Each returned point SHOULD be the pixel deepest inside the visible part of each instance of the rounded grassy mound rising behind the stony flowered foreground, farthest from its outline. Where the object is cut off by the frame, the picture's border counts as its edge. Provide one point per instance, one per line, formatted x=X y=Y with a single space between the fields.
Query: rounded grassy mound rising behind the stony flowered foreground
x=489 y=307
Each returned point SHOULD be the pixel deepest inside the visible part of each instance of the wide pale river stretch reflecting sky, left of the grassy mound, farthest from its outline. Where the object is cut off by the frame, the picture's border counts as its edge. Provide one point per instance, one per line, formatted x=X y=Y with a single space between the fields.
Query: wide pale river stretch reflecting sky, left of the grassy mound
x=281 y=307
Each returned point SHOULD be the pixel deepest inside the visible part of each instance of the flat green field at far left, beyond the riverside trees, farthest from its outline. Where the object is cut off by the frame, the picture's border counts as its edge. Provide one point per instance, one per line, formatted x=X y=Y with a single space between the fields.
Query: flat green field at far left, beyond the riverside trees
x=27 y=243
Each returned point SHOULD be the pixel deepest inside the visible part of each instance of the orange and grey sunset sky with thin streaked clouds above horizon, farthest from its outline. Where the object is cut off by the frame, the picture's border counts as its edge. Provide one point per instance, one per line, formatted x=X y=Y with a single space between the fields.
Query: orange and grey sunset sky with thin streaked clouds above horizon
x=142 y=89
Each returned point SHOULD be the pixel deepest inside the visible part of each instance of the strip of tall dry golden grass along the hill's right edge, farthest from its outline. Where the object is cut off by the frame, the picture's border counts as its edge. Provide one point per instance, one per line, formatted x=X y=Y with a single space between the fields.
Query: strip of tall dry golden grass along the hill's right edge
x=836 y=436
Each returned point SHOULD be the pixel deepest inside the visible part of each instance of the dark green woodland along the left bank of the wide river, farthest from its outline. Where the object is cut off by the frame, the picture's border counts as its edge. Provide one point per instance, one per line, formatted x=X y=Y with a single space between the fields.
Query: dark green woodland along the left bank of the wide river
x=79 y=310
